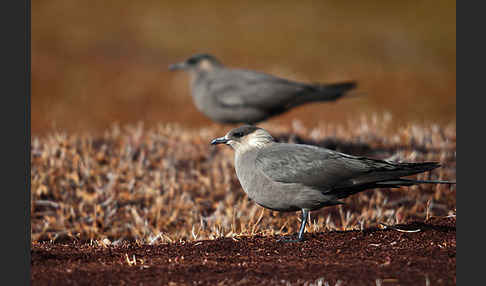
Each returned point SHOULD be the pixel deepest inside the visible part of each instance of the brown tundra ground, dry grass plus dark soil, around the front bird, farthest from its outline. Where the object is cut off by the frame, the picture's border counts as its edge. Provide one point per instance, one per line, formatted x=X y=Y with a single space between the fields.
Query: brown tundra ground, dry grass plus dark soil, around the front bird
x=159 y=205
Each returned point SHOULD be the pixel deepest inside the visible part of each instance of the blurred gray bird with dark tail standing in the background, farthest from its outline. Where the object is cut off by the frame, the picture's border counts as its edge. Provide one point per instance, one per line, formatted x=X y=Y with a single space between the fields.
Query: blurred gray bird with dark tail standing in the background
x=241 y=96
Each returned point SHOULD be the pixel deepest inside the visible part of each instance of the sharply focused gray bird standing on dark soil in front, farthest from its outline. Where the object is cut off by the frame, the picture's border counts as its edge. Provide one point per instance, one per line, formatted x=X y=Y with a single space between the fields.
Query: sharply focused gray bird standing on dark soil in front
x=291 y=177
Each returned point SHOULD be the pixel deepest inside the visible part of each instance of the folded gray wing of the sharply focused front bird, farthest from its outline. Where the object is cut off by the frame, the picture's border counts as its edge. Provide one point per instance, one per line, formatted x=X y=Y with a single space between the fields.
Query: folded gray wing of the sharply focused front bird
x=319 y=167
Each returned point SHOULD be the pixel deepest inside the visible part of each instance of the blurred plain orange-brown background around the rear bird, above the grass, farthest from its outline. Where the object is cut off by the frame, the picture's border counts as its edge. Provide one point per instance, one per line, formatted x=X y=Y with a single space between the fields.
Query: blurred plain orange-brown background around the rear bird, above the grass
x=99 y=62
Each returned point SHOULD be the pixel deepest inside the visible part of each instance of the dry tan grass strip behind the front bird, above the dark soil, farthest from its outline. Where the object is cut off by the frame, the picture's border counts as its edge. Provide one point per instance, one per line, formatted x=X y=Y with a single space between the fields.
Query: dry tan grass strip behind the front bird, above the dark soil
x=167 y=183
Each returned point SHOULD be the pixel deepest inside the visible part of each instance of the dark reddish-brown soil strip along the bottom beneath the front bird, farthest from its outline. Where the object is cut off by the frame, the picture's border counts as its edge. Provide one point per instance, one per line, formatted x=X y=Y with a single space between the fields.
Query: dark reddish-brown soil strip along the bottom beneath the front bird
x=369 y=257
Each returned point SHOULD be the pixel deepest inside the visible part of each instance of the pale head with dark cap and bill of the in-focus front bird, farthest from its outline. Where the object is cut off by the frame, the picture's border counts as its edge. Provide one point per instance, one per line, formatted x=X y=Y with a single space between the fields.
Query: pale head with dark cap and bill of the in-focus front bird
x=245 y=138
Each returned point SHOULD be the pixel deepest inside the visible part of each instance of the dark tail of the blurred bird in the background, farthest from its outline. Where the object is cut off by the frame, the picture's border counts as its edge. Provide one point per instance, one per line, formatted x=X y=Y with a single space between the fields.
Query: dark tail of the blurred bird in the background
x=324 y=92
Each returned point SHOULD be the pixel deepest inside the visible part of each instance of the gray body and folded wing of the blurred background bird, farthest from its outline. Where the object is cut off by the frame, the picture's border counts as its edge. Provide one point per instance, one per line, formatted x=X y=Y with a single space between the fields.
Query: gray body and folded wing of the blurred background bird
x=235 y=87
